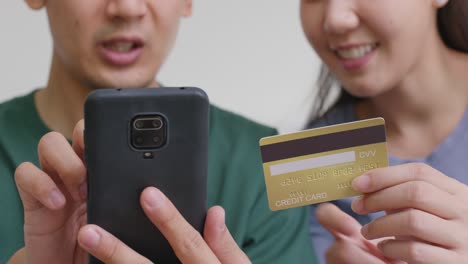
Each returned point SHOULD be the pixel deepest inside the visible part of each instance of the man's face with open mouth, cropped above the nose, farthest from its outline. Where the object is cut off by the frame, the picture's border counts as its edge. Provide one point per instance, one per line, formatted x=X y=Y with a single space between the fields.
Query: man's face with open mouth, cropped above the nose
x=113 y=43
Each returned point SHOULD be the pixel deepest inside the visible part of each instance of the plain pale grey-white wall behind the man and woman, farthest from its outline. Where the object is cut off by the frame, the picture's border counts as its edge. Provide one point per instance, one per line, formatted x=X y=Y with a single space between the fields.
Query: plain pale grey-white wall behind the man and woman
x=250 y=56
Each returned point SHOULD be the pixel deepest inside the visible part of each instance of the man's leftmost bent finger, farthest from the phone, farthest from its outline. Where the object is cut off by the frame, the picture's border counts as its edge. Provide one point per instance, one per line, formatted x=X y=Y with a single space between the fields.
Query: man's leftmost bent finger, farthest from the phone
x=37 y=189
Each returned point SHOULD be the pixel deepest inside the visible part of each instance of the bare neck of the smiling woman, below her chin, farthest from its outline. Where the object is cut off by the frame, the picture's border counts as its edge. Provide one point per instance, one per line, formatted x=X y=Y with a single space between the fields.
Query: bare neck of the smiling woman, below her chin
x=425 y=107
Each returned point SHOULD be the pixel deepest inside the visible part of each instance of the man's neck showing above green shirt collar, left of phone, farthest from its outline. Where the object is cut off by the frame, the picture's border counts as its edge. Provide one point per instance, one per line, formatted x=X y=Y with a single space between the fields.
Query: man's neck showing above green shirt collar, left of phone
x=60 y=104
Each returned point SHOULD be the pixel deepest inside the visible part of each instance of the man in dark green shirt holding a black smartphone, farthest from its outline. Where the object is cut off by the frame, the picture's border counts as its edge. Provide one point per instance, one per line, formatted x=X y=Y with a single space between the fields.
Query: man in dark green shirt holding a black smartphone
x=123 y=43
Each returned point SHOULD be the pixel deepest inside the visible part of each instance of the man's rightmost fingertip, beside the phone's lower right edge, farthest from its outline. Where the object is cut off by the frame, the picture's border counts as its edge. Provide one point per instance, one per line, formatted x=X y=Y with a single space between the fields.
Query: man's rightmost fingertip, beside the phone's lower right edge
x=220 y=240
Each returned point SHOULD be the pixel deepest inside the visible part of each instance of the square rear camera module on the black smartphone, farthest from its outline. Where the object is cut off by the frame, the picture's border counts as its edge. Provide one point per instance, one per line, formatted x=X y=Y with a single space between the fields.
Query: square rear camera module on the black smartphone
x=148 y=132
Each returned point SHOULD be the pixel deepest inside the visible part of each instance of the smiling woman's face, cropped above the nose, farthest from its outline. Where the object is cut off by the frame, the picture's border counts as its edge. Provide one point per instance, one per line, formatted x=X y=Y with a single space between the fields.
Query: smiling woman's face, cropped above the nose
x=370 y=45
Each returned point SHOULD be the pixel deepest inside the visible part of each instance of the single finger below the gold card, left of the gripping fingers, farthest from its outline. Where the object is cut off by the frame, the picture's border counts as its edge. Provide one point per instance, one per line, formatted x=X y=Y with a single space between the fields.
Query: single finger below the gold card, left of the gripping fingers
x=337 y=222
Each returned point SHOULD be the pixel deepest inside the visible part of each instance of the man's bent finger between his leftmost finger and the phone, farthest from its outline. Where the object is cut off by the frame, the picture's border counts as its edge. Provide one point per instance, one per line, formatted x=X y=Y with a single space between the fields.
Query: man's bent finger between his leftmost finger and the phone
x=57 y=156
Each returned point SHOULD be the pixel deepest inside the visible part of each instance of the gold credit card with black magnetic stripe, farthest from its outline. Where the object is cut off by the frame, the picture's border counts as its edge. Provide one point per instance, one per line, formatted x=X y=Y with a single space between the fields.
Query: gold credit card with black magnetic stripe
x=318 y=165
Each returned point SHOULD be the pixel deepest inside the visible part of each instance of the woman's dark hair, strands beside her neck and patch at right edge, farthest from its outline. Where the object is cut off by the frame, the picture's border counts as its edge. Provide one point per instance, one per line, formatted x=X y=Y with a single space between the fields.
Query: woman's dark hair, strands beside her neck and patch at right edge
x=452 y=23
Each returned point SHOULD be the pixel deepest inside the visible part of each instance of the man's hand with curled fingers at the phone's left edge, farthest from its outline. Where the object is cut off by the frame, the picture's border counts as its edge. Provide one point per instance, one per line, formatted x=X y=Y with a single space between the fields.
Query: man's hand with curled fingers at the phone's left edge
x=54 y=200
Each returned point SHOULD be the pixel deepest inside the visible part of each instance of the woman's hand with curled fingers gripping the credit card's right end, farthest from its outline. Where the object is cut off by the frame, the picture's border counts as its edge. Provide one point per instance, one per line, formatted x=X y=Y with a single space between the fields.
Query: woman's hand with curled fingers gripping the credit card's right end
x=427 y=213
